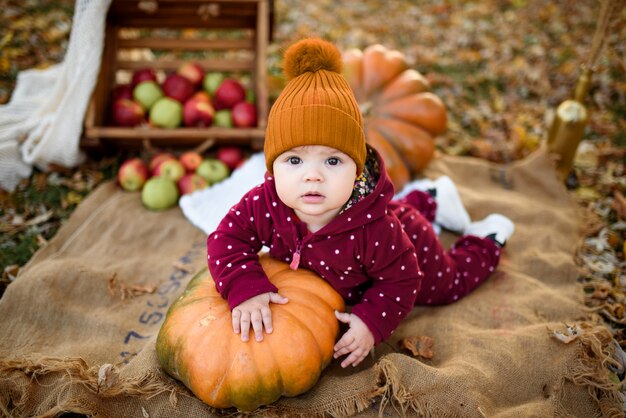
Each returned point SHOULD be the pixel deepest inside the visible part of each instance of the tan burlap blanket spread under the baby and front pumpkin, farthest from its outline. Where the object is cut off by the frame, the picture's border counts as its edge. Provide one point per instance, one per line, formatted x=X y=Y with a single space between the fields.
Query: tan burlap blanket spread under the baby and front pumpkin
x=79 y=325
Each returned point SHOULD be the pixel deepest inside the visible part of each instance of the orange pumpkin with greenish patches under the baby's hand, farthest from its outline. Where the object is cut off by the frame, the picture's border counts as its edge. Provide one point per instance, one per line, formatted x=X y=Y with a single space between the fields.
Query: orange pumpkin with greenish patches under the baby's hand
x=197 y=346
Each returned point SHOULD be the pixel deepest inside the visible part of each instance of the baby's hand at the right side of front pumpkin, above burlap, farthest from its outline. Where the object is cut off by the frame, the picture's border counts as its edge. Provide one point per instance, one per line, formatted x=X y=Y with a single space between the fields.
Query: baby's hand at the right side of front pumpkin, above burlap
x=358 y=340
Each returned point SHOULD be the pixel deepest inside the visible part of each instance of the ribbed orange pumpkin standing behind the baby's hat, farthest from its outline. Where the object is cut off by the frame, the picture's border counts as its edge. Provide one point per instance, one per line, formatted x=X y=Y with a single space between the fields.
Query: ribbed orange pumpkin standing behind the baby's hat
x=401 y=117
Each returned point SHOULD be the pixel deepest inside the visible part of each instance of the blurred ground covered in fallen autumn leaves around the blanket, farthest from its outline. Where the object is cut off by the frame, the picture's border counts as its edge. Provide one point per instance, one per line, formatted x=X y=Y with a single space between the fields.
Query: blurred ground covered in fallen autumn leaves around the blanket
x=500 y=66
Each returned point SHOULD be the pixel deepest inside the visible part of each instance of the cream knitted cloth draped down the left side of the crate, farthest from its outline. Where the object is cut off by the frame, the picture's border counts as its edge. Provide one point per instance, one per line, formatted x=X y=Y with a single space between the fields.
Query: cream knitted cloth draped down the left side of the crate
x=43 y=121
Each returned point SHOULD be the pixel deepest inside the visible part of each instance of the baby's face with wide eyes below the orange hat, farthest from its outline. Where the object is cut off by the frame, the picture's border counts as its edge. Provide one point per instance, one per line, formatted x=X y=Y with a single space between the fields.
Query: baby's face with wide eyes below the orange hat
x=315 y=181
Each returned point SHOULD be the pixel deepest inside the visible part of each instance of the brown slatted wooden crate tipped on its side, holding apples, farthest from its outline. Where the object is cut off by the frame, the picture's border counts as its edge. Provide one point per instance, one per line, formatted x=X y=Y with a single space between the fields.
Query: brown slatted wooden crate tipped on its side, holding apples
x=139 y=35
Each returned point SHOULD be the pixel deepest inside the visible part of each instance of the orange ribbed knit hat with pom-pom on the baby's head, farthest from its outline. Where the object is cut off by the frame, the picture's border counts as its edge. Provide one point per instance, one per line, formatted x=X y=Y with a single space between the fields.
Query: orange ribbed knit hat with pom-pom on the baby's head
x=317 y=106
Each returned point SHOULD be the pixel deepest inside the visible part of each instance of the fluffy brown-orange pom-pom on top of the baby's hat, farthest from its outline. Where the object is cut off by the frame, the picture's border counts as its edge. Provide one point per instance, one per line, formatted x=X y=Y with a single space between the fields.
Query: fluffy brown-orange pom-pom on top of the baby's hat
x=311 y=55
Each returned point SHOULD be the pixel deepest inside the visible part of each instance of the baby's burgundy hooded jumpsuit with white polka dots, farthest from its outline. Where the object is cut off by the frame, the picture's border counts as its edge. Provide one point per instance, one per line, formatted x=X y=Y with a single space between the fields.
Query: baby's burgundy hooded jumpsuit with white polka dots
x=381 y=255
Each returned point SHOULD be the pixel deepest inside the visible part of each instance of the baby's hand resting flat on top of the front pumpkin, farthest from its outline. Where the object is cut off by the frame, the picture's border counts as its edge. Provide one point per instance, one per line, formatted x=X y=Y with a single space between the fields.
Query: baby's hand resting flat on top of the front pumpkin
x=255 y=311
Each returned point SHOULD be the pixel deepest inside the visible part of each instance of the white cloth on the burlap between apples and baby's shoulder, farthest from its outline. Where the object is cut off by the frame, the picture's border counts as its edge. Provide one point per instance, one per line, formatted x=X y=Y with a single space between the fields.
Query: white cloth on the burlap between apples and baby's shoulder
x=206 y=208
